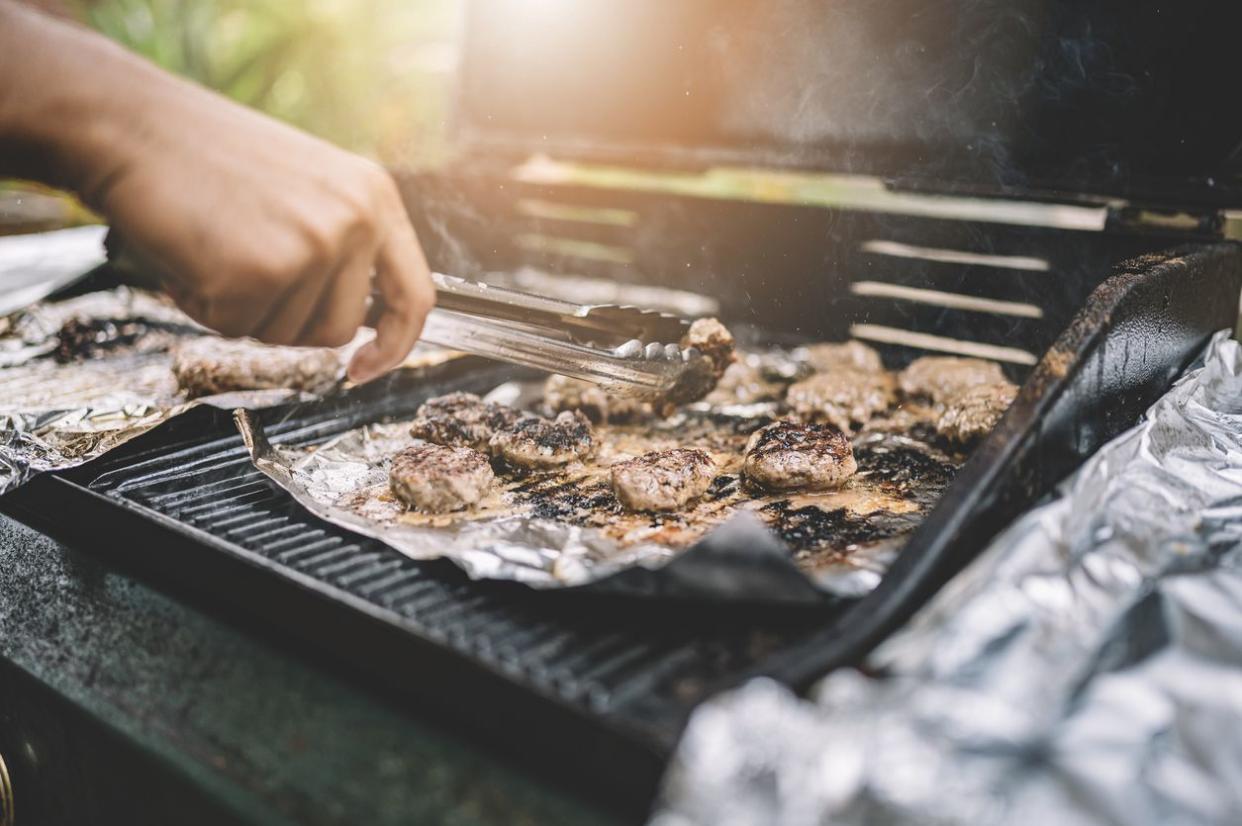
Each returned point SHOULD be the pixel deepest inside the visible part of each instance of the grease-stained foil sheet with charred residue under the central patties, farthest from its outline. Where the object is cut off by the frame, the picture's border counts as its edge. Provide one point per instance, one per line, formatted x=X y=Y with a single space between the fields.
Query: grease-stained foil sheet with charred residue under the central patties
x=566 y=529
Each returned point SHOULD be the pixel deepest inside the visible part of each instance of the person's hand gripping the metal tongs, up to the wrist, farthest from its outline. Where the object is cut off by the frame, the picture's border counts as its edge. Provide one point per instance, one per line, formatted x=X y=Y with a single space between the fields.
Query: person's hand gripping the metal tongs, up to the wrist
x=260 y=230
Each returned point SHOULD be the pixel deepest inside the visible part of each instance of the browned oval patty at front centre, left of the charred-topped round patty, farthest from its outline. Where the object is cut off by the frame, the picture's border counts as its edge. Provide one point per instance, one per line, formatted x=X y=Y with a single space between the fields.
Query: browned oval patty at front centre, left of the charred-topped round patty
x=663 y=480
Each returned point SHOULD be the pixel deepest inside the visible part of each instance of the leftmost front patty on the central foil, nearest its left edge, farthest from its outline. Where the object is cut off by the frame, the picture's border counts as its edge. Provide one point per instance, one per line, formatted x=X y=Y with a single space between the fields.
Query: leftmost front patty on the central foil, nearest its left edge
x=435 y=479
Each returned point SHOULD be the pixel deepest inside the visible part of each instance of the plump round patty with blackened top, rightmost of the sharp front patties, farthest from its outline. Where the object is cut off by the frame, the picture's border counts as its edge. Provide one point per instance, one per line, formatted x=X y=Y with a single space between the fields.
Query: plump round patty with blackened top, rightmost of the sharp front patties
x=788 y=456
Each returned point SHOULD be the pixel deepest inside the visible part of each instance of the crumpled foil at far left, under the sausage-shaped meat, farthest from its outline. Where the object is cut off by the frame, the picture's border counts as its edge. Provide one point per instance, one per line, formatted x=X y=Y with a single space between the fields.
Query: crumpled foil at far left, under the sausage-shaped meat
x=55 y=417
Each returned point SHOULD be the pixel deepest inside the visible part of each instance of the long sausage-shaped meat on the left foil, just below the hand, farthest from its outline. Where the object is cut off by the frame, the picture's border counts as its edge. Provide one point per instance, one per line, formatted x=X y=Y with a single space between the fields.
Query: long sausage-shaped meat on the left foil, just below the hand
x=208 y=366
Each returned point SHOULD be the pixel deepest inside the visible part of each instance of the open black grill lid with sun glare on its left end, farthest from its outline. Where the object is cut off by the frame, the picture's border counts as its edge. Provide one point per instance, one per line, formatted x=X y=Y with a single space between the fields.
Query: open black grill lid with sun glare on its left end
x=1128 y=99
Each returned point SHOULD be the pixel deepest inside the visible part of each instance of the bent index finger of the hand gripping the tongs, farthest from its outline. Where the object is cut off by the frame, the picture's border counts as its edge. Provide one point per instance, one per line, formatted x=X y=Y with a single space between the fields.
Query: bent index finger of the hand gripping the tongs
x=404 y=280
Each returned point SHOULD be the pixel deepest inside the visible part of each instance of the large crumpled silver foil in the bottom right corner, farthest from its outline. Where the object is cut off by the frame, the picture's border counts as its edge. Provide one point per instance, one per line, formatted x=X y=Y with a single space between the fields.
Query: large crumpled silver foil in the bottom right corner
x=1086 y=670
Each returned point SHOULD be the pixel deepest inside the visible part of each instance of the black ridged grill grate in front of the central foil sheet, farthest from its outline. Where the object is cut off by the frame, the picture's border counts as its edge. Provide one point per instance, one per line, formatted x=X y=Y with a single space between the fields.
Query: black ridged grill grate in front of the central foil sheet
x=623 y=663
